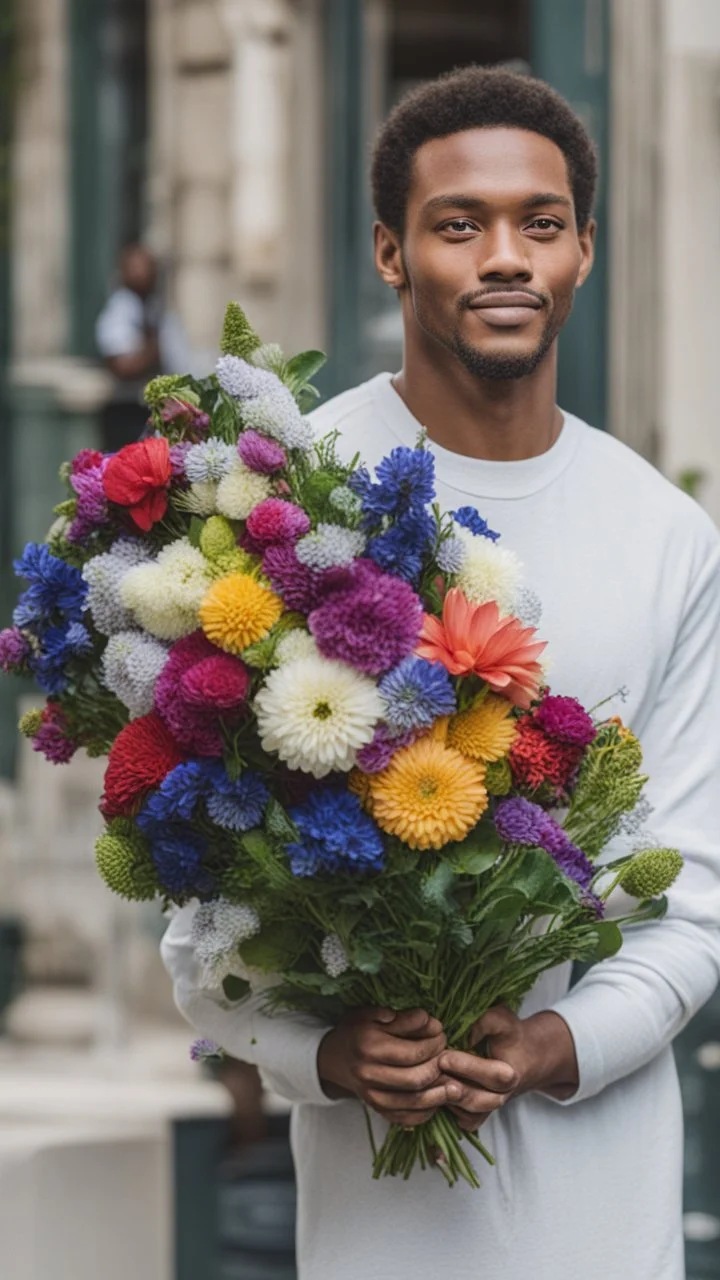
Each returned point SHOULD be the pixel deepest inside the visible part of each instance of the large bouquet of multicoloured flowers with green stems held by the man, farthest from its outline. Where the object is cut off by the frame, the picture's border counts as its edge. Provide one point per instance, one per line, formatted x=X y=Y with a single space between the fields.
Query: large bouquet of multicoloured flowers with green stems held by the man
x=325 y=716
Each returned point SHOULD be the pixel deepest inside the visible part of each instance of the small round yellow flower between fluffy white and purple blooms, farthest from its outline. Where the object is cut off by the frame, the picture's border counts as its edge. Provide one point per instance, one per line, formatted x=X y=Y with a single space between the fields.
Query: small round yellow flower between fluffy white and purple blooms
x=238 y=611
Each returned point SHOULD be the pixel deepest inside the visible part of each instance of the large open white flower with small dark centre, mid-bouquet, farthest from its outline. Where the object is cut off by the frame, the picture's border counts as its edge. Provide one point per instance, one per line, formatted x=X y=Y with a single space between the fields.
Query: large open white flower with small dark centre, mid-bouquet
x=317 y=715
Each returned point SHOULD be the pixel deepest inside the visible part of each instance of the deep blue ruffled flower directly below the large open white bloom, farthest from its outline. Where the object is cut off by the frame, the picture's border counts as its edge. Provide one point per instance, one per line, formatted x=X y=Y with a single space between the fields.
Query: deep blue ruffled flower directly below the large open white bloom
x=335 y=835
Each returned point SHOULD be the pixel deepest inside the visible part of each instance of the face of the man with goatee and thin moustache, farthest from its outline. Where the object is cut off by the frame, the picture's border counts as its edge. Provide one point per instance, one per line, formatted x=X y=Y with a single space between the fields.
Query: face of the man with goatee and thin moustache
x=491 y=254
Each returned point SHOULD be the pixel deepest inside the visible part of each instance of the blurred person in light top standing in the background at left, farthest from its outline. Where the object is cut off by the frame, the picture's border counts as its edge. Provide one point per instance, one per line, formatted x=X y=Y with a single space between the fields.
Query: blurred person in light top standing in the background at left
x=138 y=339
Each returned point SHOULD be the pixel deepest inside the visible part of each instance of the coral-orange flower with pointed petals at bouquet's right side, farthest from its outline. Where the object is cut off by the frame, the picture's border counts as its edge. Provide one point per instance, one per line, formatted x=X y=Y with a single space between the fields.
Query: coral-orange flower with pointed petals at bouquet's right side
x=475 y=638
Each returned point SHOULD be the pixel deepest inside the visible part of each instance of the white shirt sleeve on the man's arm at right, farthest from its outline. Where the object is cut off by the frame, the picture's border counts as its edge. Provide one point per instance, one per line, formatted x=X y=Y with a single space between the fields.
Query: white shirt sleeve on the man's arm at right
x=628 y=1008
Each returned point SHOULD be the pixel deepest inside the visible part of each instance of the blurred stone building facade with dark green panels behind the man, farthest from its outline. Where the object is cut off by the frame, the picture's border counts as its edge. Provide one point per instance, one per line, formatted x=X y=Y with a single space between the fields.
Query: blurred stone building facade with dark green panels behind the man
x=233 y=136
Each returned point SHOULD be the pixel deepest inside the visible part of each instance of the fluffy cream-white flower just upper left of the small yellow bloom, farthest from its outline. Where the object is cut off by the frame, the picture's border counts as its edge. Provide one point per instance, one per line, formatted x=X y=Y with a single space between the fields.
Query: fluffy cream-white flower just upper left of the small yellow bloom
x=165 y=597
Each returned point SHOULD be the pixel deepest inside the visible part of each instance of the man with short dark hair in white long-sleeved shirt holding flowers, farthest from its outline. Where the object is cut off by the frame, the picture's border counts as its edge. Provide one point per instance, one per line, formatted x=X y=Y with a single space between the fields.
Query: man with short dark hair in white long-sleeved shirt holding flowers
x=484 y=186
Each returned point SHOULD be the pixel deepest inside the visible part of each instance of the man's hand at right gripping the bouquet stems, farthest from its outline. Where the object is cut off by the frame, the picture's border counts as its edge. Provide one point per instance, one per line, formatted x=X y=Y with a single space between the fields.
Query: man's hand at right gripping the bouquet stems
x=527 y=1054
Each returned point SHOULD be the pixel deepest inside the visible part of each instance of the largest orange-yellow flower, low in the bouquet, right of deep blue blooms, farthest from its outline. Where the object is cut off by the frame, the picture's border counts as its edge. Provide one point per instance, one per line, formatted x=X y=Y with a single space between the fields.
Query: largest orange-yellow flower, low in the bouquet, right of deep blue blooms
x=429 y=796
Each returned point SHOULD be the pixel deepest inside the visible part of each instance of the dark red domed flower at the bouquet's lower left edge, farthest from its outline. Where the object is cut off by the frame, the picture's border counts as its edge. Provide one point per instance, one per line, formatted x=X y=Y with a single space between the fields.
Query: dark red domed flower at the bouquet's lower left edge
x=143 y=755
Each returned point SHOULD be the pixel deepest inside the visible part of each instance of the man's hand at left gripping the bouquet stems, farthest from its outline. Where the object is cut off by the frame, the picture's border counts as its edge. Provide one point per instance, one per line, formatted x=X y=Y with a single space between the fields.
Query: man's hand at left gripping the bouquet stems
x=388 y=1060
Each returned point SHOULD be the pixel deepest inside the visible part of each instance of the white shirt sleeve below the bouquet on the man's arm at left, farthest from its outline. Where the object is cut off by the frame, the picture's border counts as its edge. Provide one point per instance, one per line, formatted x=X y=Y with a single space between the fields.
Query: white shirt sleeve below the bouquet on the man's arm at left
x=285 y=1046
